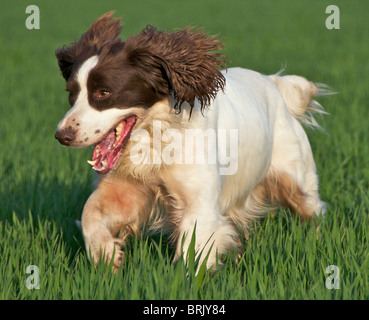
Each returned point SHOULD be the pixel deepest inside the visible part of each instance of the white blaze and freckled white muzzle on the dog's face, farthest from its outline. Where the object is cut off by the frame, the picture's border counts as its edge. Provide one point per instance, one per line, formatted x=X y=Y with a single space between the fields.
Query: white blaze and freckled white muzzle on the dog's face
x=90 y=124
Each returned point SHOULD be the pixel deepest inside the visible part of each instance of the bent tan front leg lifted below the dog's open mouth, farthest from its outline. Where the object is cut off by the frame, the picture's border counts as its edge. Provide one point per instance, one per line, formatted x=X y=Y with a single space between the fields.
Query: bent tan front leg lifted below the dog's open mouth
x=113 y=211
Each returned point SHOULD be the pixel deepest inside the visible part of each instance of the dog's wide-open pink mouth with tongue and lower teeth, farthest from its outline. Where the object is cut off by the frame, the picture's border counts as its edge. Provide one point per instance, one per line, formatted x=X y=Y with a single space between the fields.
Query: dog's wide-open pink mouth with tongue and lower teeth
x=107 y=152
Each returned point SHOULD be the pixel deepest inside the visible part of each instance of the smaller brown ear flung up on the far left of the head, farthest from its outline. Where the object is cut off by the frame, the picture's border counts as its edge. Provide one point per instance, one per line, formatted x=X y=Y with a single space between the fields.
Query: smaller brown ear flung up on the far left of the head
x=104 y=31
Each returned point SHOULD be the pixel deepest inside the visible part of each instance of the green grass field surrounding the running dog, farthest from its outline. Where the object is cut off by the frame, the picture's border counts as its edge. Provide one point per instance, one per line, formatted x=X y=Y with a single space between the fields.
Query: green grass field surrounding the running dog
x=43 y=186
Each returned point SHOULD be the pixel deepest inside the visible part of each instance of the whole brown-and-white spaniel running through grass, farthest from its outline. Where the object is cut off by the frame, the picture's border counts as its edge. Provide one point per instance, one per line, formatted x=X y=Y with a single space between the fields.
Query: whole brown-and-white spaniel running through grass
x=137 y=100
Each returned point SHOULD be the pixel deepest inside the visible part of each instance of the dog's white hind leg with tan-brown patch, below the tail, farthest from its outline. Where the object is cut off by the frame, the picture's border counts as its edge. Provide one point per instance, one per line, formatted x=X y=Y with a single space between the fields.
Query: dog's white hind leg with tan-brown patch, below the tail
x=292 y=181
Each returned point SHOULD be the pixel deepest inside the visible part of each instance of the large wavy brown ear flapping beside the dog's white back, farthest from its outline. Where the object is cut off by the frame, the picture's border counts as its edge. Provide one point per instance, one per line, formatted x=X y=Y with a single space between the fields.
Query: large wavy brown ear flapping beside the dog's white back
x=181 y=62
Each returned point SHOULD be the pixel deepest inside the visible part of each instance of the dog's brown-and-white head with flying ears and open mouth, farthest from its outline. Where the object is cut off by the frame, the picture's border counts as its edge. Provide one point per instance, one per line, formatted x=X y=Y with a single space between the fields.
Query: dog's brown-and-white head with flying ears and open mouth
x=111 y=82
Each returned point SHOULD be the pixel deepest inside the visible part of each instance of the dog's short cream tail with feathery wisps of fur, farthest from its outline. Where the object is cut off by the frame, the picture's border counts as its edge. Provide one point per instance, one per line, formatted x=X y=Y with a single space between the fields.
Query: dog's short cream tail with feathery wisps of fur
x=298 y=93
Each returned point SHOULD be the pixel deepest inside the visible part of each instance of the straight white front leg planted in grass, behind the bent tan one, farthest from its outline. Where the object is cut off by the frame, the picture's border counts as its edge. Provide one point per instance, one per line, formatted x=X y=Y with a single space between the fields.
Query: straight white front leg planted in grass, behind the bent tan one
x=199 y=210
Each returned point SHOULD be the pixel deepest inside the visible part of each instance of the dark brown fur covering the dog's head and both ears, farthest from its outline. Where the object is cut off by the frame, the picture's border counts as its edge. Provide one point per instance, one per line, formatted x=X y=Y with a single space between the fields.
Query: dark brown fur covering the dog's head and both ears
x=148 y=67
